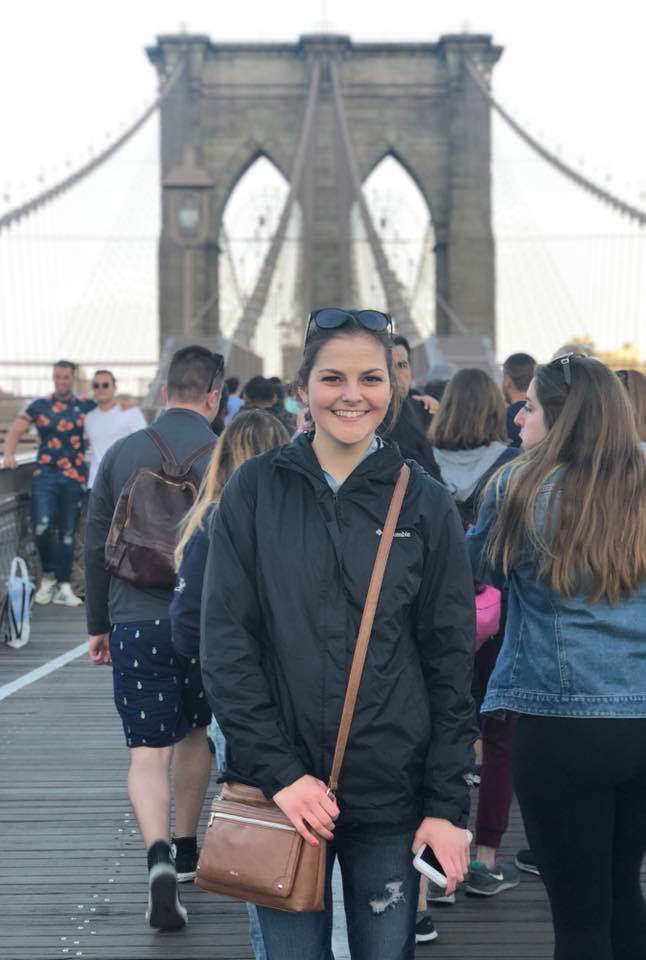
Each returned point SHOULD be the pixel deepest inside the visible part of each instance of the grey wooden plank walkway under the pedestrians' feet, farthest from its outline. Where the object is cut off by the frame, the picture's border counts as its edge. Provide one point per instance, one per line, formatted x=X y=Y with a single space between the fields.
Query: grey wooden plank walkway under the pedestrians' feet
x=73 y=872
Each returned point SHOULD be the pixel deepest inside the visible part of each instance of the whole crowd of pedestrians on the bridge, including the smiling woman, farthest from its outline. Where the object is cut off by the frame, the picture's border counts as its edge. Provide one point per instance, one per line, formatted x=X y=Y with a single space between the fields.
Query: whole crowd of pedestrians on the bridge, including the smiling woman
x=226 y=578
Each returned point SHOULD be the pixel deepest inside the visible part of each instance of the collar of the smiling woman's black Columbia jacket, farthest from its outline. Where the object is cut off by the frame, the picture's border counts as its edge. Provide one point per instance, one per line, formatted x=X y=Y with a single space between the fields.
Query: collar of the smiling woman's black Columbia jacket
x=382 y=466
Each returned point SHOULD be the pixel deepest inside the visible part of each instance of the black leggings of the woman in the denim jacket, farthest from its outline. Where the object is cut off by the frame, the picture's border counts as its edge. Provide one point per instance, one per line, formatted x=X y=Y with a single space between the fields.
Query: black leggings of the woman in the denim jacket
x=581 y=785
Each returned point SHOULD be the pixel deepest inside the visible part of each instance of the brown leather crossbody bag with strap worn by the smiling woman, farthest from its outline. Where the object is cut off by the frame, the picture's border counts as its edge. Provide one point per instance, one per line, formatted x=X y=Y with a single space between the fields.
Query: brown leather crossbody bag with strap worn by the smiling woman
x=251 y=850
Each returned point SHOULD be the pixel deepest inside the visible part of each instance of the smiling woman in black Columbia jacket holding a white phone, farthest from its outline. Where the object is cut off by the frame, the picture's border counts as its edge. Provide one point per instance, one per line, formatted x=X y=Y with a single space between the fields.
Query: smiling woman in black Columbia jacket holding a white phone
x=292 y=548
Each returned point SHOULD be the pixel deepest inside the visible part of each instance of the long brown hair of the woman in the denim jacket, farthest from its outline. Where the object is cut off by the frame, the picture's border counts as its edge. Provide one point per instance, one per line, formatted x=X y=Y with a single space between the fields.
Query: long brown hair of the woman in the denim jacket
x=594 y=538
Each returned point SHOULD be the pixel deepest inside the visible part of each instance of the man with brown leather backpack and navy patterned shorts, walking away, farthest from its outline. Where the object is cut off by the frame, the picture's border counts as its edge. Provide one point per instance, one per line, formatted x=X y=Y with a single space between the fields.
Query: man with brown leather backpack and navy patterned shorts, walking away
x=144 y=485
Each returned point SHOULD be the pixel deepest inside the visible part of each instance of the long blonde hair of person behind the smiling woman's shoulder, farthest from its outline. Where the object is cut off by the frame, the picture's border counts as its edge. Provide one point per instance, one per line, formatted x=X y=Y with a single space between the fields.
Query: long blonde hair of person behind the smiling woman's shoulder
x=250 y=432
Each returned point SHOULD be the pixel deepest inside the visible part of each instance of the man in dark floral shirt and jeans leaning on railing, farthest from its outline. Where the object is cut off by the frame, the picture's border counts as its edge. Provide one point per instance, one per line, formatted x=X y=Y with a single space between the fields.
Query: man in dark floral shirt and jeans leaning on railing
x=58 y=481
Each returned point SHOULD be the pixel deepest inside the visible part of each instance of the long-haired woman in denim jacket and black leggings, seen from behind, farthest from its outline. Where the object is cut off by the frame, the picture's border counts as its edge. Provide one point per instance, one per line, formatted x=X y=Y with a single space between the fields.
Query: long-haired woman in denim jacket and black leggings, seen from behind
x=565 y=527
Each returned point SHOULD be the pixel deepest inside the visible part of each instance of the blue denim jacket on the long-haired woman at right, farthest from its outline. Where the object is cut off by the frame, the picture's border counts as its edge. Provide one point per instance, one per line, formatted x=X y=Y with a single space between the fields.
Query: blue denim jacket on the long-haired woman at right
x=561 y=656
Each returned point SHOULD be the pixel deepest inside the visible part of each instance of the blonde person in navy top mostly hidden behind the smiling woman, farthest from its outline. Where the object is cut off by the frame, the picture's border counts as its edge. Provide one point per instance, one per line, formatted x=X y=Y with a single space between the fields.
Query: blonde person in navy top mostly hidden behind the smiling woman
x=249 y=433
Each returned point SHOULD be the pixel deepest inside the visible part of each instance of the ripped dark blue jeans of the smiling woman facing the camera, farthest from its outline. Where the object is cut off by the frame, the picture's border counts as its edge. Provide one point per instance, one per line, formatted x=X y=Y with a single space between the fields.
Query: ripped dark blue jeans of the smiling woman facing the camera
x=380 y=889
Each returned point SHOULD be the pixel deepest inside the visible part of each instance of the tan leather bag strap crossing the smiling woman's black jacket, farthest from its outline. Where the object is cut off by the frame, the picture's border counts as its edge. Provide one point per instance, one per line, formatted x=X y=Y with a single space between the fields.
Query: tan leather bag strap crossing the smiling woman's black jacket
x=365 y=628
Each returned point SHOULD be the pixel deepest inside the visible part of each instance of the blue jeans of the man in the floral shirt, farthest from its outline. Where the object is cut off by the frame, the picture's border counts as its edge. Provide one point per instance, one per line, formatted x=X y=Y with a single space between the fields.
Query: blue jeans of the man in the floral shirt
x=55 y=506
